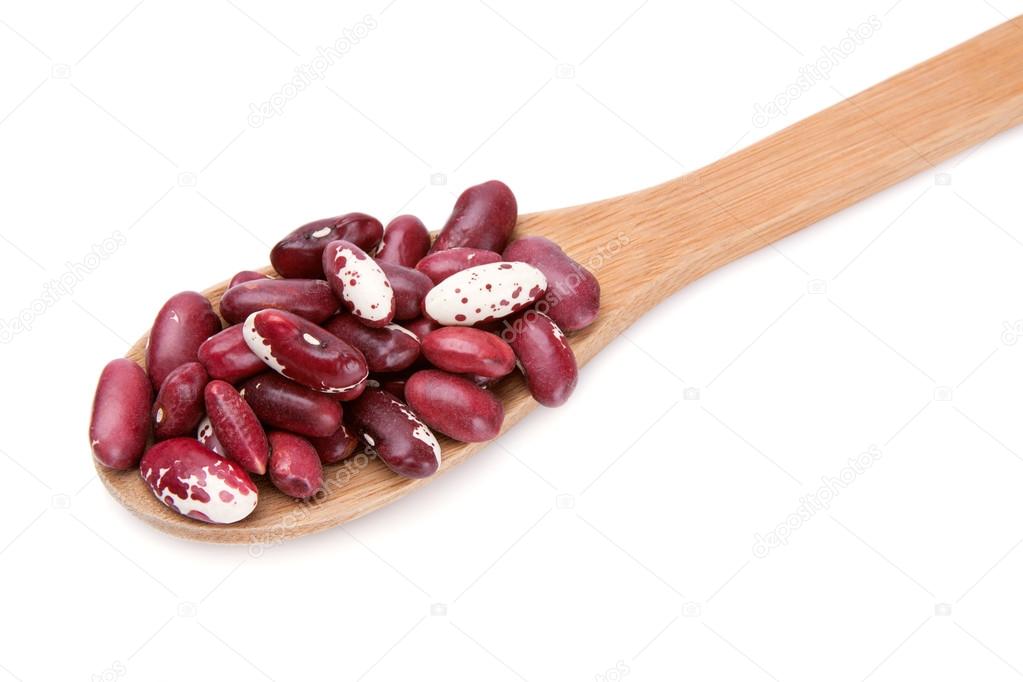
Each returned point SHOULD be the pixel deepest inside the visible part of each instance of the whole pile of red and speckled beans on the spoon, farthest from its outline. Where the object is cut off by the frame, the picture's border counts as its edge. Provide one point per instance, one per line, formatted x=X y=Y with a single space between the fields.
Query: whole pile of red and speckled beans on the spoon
x=369 y=337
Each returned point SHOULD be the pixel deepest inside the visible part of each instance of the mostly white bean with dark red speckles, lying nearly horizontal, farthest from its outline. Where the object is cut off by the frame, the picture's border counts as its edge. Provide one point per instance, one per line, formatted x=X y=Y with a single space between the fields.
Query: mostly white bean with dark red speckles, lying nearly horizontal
x=484 y=294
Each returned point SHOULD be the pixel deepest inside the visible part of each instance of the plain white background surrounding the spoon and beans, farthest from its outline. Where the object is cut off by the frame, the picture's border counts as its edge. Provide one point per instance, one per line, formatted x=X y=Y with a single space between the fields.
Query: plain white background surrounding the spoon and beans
x=607 y=540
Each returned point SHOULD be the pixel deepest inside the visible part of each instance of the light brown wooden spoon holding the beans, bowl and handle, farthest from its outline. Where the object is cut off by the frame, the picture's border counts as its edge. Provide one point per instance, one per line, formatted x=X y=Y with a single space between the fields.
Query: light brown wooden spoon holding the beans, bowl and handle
x=645 y=247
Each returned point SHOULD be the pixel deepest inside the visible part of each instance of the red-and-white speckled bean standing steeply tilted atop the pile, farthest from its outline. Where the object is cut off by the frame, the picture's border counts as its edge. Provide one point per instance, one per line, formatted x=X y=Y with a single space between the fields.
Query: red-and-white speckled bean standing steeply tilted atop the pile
x=361 y=284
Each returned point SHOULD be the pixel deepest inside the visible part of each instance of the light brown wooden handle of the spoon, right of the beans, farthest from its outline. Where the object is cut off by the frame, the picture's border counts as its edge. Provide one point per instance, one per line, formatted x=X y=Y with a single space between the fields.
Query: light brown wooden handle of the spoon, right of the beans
x=685 y=229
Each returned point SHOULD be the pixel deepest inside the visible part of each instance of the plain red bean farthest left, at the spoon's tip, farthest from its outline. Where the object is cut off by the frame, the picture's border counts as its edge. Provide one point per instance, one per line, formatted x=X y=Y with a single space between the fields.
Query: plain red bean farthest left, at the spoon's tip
x=120 y=424
